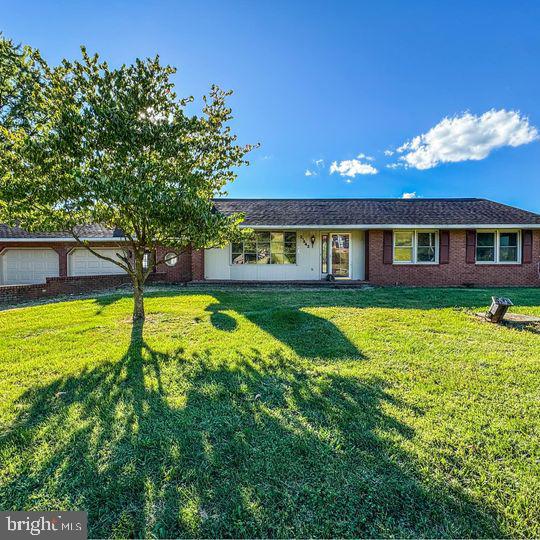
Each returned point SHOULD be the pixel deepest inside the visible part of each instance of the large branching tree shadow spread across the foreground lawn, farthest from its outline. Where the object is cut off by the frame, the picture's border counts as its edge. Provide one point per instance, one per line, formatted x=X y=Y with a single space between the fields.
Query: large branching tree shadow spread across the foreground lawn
x=162 y=445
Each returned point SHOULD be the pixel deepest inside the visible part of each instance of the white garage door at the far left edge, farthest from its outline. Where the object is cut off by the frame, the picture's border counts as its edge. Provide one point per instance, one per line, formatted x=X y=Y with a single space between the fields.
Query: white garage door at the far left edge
x=24 y=266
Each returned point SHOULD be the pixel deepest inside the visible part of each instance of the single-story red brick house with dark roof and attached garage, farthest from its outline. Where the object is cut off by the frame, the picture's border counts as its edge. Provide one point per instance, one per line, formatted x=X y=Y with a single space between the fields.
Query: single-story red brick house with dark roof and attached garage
x=437 y=242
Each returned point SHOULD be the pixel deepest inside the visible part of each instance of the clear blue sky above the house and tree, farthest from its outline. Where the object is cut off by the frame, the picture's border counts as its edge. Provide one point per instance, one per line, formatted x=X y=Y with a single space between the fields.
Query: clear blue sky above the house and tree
x=334 y=80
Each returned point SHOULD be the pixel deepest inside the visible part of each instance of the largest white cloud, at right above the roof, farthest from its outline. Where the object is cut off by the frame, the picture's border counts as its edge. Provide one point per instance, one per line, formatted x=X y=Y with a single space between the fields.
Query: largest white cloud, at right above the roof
x=467 y=137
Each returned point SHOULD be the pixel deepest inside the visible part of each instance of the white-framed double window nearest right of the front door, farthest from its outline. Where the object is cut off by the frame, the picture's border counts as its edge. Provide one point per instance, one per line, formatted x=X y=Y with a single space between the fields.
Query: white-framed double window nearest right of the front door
x=416 y=247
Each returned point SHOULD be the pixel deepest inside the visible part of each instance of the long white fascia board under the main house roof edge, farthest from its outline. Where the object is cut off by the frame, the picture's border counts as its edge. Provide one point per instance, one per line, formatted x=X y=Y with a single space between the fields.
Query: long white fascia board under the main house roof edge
x=399 y=226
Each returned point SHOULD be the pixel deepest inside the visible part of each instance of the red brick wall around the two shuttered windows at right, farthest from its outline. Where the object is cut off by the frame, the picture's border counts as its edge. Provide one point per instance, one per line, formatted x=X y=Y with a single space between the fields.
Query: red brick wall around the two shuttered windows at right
x=456 y=272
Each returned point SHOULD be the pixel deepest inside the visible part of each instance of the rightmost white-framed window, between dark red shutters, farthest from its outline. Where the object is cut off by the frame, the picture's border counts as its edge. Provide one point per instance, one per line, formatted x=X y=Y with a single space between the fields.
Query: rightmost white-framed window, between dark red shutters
x=498 y=247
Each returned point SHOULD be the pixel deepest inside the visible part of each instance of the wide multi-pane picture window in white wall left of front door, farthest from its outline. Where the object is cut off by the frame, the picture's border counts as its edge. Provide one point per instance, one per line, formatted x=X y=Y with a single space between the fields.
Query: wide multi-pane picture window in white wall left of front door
x=266 y=247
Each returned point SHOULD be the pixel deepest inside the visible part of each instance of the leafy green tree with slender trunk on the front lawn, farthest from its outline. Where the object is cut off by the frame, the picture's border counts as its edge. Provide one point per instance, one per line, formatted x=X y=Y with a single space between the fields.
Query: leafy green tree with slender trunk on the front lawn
x=117 y=147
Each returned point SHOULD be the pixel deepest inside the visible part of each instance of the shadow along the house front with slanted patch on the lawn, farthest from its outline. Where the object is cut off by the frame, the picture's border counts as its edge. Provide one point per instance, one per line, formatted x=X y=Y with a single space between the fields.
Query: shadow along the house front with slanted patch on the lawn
x=290 y=316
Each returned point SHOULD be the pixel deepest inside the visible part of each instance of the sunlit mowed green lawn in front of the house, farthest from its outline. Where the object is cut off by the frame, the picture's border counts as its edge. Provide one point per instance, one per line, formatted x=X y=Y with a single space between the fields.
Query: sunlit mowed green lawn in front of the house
x=275 y=413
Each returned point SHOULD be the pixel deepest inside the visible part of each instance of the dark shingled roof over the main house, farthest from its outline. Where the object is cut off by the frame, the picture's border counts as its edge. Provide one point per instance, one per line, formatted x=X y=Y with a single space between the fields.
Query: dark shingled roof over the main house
x=273 y=212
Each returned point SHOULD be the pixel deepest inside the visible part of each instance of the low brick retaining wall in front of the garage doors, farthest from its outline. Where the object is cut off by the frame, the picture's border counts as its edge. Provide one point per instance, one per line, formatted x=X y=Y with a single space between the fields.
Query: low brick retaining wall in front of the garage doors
x=57 y=286
